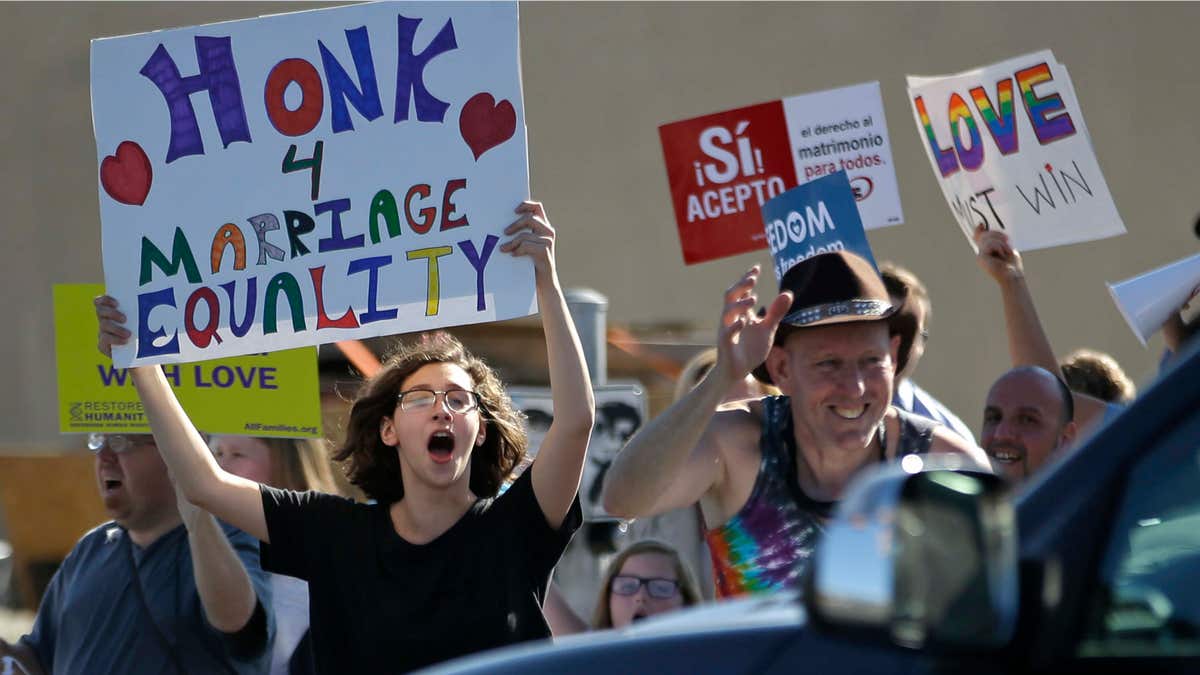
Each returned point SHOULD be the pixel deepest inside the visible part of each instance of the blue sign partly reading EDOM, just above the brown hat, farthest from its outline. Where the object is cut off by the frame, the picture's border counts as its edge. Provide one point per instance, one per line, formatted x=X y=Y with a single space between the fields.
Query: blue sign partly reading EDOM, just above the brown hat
x=817 y=218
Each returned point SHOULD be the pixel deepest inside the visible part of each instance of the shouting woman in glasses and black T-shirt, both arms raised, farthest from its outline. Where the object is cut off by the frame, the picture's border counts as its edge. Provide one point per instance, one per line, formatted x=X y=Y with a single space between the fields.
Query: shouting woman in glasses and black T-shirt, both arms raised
x=440 y=566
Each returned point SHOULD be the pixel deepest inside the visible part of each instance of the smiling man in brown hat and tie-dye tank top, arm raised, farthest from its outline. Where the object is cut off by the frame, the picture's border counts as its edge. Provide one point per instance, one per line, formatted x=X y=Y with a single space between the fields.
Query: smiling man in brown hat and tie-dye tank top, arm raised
x=767 y=473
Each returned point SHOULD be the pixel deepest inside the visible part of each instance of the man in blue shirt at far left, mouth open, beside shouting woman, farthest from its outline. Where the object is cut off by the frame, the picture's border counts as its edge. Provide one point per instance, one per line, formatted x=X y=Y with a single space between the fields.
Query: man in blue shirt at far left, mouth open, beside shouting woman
x=159 y=589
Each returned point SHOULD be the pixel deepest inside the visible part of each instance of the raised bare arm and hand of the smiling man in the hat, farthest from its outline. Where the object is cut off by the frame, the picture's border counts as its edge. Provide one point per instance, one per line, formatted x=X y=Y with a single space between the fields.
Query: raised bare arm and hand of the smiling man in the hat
x=676 y=459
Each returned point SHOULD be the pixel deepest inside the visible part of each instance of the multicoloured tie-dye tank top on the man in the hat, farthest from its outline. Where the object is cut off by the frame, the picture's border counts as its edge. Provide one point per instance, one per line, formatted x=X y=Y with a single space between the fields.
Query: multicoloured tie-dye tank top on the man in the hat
x=767 y=545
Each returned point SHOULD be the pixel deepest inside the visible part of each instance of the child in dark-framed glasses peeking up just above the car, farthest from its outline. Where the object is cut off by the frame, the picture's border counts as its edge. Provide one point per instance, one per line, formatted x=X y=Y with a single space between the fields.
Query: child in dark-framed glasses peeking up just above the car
x=645 y=580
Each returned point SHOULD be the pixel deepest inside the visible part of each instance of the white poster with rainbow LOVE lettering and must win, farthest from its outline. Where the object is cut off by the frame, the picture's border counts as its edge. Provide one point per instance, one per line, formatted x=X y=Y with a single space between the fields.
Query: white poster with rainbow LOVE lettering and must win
x=1011 y=151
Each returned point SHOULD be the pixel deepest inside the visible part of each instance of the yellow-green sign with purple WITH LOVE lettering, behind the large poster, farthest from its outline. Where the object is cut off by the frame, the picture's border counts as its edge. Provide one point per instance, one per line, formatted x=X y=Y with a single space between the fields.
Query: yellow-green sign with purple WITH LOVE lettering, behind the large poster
x=274 y=395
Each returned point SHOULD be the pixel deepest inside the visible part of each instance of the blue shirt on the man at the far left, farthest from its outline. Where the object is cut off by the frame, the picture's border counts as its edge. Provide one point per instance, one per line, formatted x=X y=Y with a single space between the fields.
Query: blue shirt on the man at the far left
x=92 y=620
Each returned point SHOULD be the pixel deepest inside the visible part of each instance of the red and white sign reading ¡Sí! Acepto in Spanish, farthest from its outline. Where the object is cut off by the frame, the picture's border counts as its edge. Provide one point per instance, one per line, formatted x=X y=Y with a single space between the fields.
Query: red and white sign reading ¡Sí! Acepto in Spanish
x=724 y=168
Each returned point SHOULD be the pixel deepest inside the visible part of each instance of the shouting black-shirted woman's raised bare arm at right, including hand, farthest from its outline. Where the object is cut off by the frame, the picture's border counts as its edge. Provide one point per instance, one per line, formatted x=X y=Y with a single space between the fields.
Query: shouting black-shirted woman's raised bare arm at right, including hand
x=560 y=464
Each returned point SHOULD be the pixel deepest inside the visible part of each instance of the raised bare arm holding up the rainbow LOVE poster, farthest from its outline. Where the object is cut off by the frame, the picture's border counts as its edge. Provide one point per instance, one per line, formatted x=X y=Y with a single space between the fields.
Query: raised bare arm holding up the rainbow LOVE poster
x=1028 y=343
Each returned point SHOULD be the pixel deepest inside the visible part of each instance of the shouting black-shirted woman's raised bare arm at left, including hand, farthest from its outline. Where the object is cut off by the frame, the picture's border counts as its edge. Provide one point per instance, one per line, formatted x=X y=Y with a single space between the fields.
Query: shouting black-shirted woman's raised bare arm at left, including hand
x=203 y=483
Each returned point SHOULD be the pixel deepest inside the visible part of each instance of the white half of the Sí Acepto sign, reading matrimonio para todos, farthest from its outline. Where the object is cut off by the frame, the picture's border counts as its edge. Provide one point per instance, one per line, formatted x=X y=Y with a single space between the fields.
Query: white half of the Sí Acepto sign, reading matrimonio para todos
x=845 y=130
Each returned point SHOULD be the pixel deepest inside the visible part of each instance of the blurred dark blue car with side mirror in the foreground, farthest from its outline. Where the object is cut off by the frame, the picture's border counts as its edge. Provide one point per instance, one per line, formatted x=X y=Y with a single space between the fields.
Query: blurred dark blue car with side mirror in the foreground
x=1091 y=568
